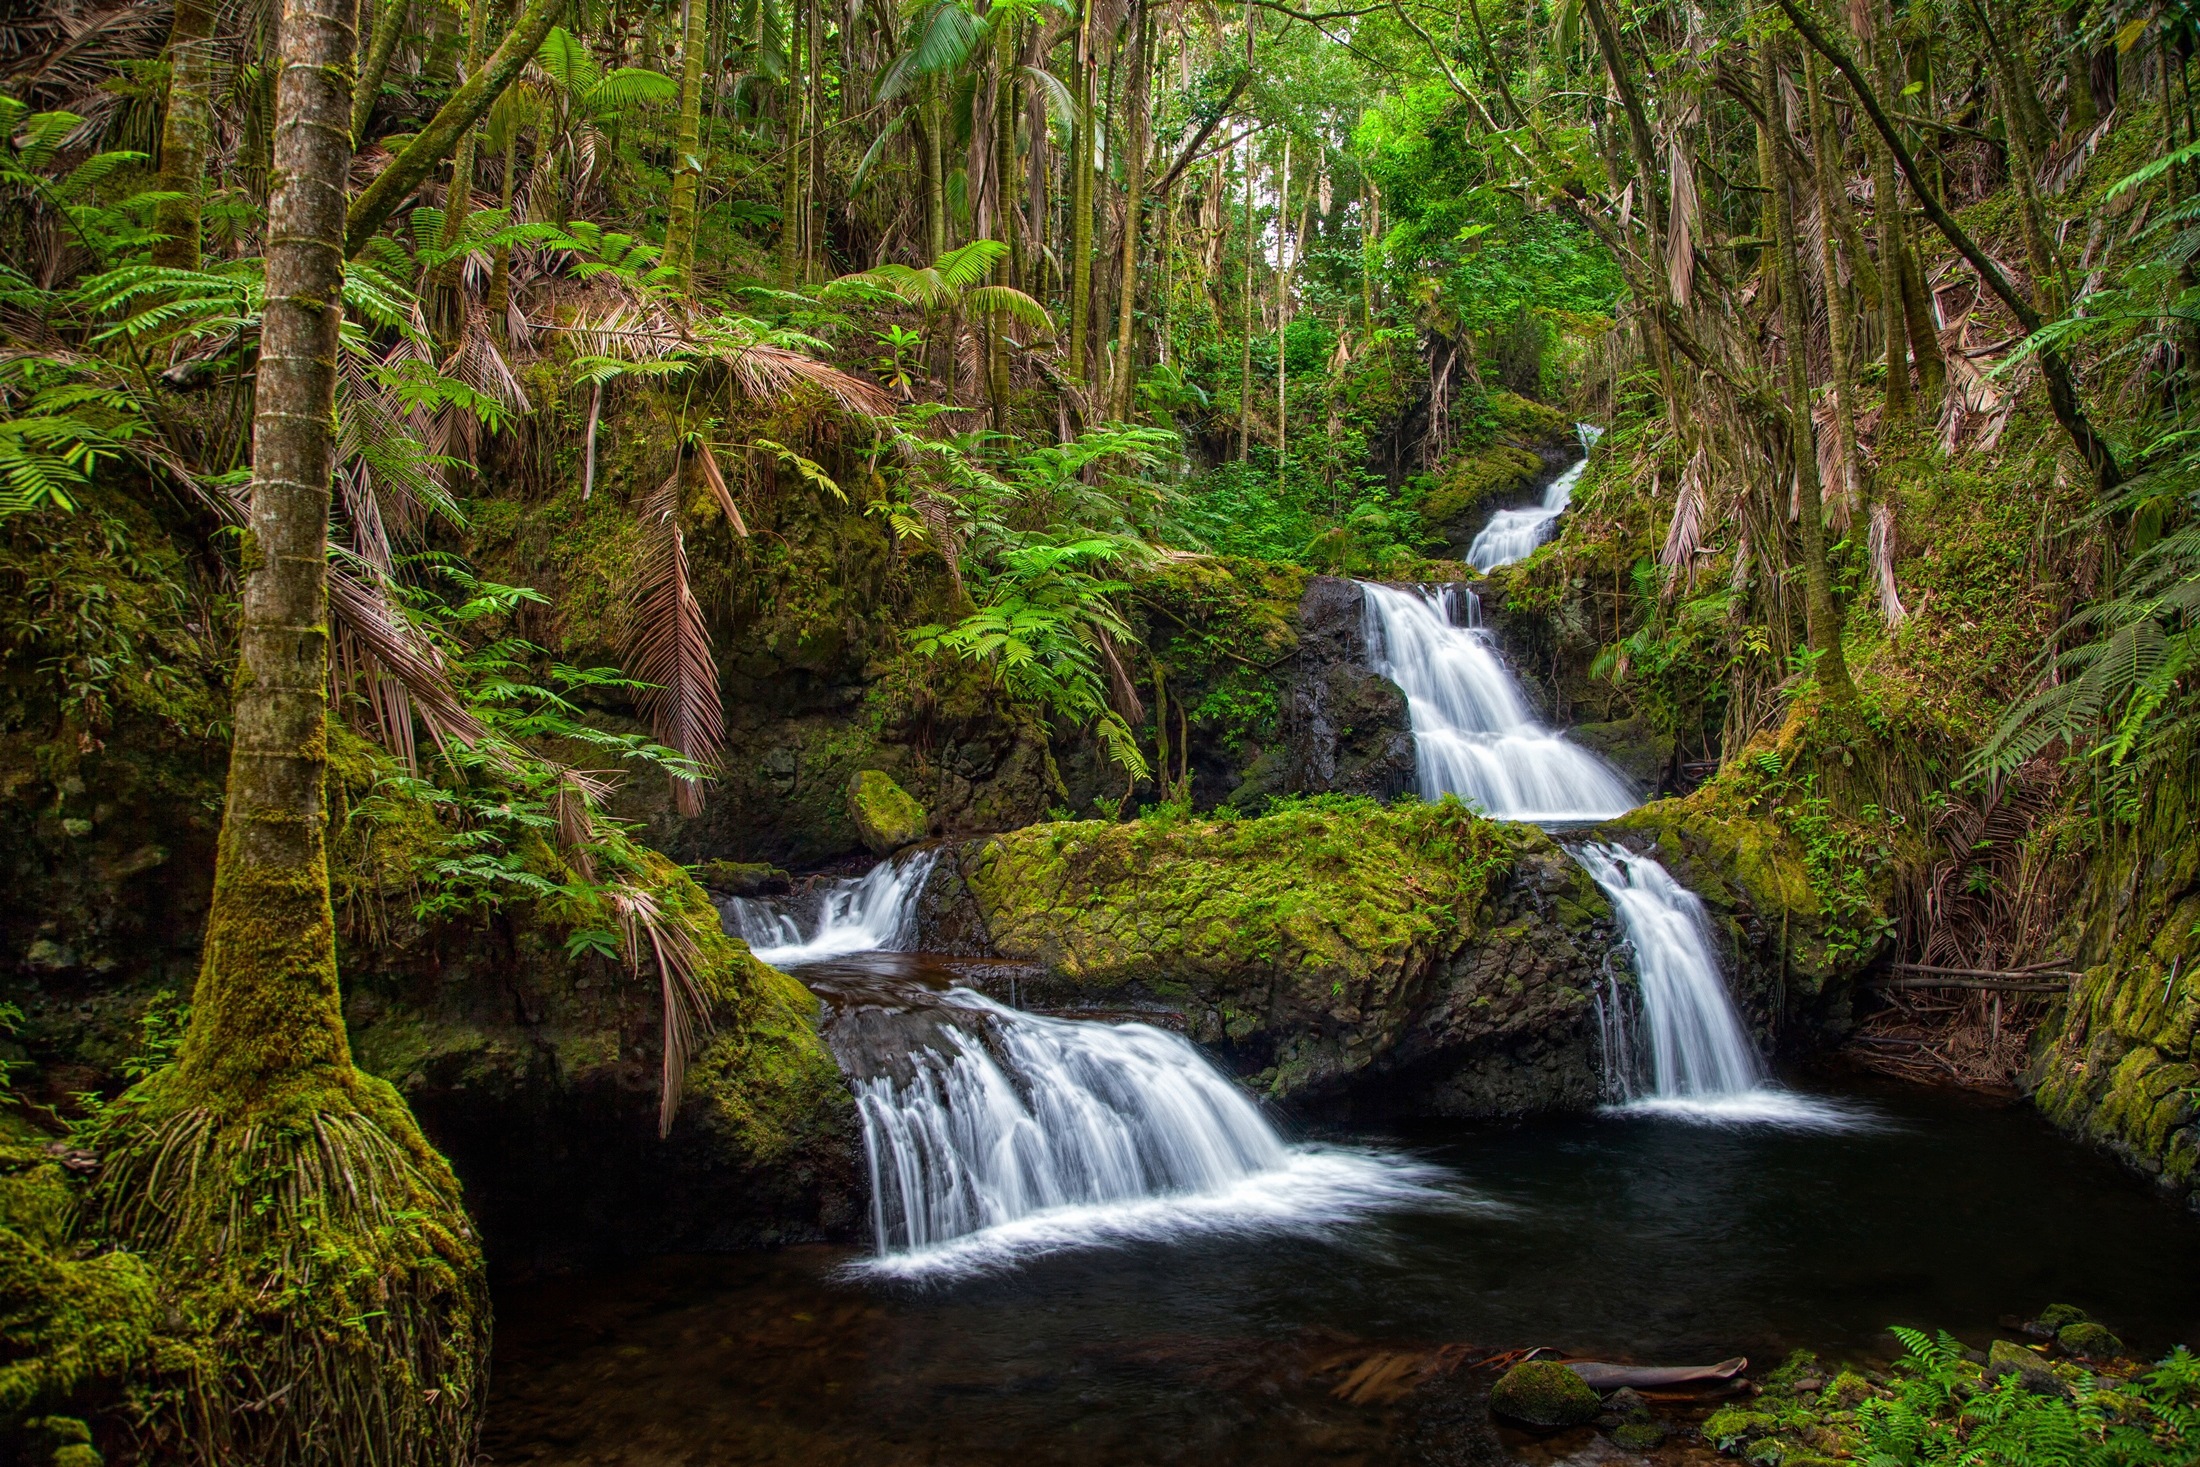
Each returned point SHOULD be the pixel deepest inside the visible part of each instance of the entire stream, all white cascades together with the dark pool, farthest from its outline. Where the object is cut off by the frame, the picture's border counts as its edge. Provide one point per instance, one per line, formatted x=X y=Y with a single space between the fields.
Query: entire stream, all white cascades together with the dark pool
x=1090 y=1246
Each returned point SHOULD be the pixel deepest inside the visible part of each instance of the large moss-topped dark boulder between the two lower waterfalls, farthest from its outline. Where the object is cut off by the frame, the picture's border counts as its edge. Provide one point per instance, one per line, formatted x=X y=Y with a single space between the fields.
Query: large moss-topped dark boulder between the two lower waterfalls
x=1407 y=958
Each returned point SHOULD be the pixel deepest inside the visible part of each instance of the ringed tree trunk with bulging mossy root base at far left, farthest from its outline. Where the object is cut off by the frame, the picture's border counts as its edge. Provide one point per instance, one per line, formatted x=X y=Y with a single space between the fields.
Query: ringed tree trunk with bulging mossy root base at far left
x=311 y=1244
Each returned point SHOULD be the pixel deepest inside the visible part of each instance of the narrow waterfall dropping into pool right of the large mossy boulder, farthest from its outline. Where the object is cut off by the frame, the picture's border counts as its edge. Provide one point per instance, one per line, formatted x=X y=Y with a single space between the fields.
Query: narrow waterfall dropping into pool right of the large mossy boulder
x=1702 y=1063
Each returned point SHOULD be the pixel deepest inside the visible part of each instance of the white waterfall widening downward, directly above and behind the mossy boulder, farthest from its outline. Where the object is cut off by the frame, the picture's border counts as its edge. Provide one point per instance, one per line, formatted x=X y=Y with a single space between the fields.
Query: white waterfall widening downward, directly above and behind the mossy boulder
x=1473 y=729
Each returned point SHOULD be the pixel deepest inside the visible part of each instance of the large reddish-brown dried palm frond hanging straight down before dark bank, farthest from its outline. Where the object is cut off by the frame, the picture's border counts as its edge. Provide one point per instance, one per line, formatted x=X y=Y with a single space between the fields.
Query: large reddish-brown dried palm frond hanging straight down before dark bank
x=672 y=648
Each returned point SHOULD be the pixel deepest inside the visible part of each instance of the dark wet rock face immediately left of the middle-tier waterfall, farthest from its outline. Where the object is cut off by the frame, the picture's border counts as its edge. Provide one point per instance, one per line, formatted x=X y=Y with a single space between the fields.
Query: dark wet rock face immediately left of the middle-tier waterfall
x=1345 y=729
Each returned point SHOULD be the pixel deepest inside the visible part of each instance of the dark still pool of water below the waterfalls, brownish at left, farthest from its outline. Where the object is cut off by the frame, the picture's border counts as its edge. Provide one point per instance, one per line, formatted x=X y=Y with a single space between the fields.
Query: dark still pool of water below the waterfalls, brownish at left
x=1636 y=1239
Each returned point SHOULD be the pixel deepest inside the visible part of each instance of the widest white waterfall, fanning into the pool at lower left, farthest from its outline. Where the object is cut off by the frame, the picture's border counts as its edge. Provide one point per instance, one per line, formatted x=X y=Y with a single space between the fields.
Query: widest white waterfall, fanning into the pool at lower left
x=1022 y=1136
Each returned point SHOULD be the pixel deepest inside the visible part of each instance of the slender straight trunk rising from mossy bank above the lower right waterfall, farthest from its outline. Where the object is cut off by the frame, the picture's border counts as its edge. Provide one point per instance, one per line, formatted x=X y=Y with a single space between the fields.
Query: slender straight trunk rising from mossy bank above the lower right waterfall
x=1820 y=610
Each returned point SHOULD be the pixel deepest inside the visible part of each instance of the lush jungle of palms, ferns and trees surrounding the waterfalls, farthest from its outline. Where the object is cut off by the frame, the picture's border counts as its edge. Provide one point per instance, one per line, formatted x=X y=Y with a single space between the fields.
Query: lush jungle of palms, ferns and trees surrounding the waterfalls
x=1875 y=300
